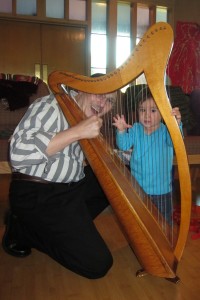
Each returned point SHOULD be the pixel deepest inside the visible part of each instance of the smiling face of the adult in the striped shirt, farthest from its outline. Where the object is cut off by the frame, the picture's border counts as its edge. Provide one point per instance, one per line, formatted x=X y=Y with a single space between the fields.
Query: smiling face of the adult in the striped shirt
x=92 y=104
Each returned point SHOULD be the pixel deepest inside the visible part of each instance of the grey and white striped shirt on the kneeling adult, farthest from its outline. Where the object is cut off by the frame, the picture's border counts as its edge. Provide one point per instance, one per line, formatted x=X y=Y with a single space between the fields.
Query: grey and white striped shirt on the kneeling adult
x=31 y=137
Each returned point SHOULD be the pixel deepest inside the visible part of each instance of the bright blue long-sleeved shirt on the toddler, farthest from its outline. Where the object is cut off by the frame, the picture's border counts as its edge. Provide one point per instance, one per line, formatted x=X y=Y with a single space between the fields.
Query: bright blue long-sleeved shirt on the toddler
x=152 y=157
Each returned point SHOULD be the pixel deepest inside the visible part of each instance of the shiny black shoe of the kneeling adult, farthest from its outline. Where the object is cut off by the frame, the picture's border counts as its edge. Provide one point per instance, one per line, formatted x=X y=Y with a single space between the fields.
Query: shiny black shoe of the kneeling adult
x=10 y=242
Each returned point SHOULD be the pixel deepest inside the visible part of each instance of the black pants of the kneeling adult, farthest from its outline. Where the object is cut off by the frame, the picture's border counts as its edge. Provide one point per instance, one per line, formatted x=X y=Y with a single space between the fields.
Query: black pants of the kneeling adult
x=57 y=219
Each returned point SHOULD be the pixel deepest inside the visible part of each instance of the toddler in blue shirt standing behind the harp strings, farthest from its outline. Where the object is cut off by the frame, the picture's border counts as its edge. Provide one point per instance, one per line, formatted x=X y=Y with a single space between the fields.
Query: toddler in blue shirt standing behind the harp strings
x=152 y=156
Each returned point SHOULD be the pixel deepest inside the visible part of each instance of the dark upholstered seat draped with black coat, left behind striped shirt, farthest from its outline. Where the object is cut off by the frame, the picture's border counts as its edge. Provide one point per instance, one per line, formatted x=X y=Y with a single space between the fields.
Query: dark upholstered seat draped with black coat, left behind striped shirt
x=17 y=92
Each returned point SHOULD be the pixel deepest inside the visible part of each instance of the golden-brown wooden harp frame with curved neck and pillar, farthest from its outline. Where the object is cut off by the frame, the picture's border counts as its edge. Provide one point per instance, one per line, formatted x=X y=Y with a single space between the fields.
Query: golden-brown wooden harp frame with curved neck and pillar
x=151 y=246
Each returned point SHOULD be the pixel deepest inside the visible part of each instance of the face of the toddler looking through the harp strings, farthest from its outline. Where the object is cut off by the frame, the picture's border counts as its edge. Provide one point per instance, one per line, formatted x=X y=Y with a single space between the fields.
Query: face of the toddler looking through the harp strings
x=149 y=115
